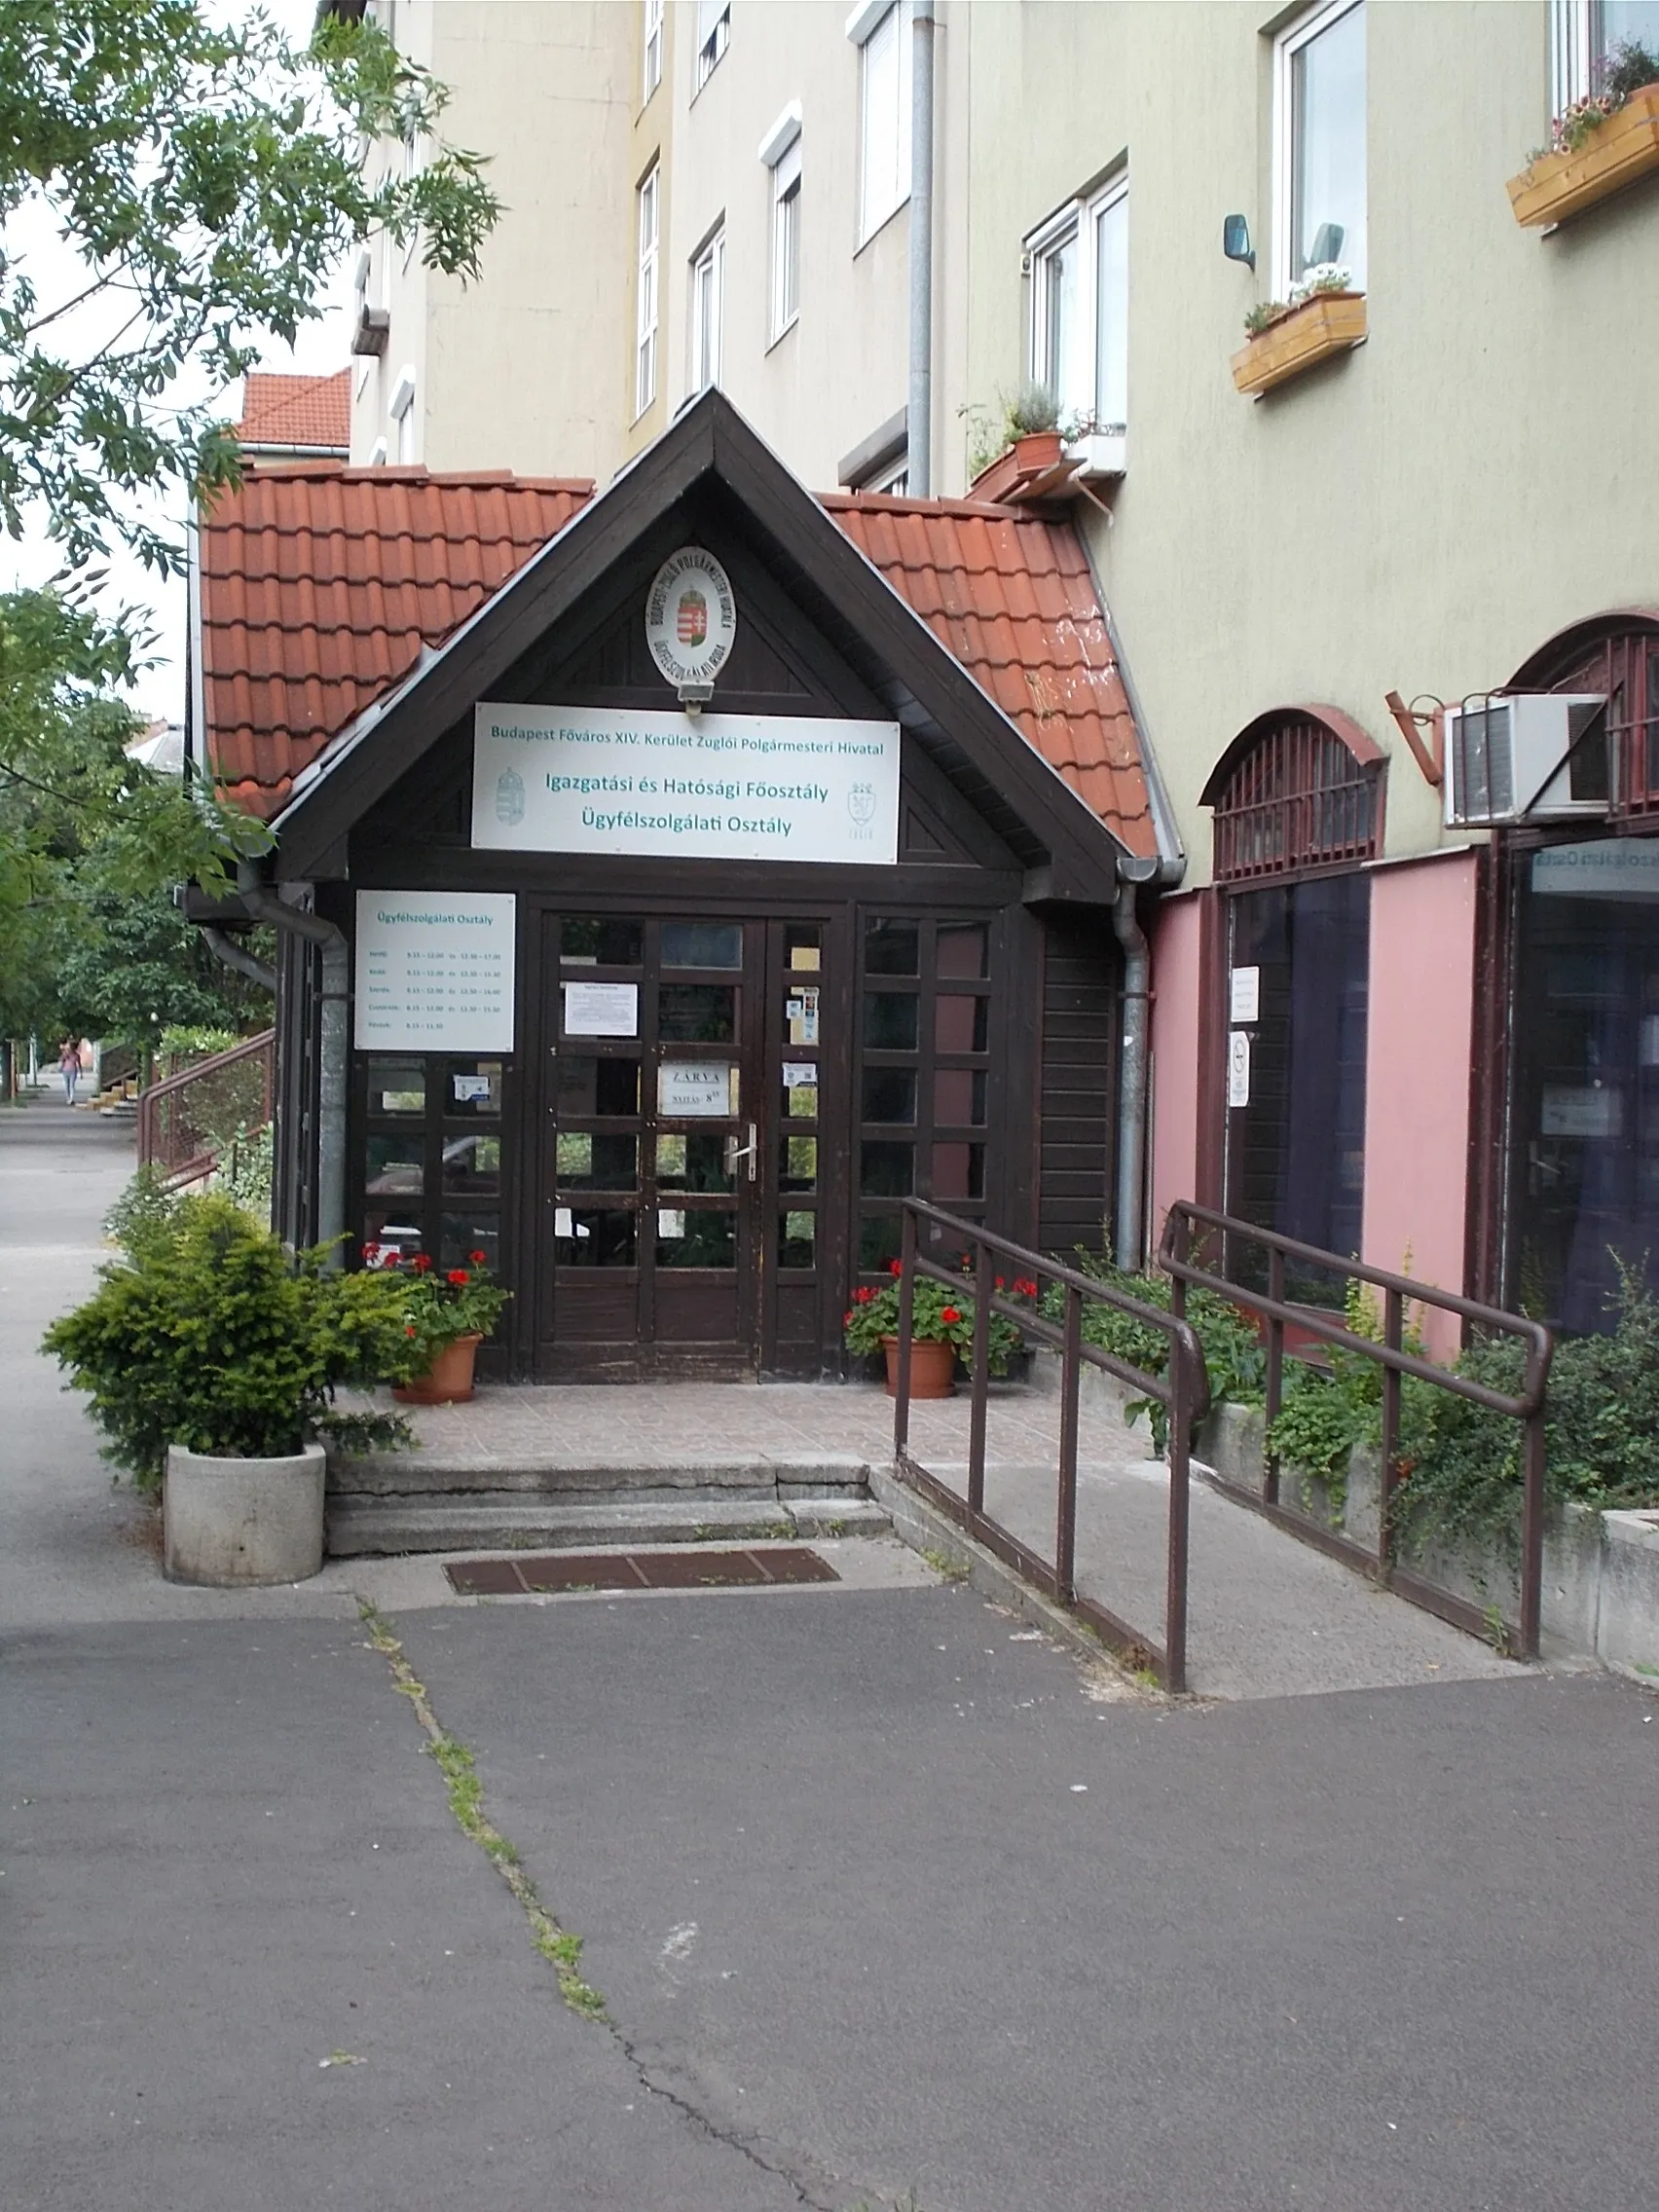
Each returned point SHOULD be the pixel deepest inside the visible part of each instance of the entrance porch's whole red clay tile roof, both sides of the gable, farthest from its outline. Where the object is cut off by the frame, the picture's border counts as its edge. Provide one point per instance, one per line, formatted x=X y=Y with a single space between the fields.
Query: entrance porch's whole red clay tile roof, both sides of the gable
x=322 y=585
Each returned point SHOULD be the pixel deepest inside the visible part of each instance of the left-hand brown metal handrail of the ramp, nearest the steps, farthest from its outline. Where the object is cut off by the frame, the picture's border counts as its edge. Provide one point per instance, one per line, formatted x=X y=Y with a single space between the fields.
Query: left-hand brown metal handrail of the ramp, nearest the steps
x=1185 y=1390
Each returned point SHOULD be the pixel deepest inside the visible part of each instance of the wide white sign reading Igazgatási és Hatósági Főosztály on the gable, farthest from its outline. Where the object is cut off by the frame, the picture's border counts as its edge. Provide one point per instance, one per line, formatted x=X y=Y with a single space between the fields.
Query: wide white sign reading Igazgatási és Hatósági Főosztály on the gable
x=685 y=786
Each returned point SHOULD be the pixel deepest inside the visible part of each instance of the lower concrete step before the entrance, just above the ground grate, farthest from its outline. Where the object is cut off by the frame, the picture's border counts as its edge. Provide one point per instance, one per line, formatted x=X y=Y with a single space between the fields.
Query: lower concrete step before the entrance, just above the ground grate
x=508 y=1521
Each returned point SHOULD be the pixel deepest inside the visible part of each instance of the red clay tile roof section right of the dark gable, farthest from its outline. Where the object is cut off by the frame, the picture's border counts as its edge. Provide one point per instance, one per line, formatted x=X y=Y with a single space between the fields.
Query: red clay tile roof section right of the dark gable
x=1014 y=601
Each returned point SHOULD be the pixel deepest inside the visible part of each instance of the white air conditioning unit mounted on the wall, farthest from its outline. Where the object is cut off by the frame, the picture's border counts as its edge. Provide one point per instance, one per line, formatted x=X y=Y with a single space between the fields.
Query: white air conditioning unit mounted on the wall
x=1527 y=758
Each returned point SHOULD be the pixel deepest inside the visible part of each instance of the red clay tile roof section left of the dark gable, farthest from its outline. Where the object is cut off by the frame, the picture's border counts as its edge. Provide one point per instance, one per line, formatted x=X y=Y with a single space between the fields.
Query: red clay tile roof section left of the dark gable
x=322 y=585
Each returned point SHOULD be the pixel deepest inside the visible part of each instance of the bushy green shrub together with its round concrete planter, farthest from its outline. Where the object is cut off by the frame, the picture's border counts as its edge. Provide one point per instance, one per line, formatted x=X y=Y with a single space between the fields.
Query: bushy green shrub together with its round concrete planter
x=211 y=1359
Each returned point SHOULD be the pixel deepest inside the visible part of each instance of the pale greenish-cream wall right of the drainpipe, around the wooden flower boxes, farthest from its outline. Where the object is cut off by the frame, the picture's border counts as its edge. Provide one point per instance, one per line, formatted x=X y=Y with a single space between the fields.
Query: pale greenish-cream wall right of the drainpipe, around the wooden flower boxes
x=1417 y=517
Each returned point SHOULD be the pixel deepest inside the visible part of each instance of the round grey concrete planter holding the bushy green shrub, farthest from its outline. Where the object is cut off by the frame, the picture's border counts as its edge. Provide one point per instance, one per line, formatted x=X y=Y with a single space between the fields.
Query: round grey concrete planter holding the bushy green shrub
x=238 y=1523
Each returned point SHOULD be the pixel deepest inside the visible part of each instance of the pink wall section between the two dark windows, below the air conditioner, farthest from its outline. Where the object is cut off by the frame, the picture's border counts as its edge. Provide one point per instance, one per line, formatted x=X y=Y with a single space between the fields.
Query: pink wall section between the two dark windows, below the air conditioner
x=1417 y=1081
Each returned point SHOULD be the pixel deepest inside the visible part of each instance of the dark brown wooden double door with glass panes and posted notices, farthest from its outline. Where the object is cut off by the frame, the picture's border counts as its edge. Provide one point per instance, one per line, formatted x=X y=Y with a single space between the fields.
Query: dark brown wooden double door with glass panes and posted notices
x=682 y=1154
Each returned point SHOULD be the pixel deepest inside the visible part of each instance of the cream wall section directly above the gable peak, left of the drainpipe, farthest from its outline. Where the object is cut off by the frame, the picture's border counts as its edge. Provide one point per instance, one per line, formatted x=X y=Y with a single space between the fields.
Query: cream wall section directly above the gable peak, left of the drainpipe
x=842 y=371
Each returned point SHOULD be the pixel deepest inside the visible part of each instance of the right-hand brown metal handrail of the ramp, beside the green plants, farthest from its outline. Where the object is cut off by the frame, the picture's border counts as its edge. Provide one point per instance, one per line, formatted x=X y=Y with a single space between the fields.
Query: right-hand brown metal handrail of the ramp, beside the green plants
x=1399 y=1291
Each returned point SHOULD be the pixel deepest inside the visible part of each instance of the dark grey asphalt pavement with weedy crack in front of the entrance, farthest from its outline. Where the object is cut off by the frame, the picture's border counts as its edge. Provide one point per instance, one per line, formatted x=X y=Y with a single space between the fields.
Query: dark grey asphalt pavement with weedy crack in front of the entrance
x=881 y=1890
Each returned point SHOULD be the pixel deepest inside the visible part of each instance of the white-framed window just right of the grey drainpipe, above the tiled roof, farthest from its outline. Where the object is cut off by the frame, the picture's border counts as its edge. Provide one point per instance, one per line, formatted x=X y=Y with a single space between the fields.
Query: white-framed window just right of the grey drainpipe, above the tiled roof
x=1078 y=328
